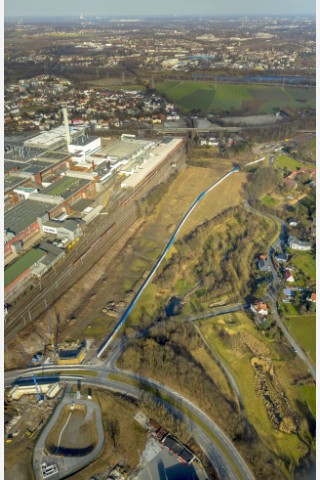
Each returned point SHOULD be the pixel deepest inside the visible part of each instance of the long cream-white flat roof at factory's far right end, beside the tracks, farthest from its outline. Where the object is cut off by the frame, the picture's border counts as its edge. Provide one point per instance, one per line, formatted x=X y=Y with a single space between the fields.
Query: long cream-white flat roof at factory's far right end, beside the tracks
x=156 y=156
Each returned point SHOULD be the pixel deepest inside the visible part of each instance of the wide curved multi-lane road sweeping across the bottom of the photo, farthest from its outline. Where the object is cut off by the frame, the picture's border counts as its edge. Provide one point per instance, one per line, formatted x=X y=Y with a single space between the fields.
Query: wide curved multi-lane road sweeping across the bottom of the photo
x=207 y=433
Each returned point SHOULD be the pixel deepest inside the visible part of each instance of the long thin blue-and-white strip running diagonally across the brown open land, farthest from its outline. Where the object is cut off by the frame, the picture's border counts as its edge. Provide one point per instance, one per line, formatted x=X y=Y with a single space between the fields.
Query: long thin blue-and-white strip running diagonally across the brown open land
x=109 y=339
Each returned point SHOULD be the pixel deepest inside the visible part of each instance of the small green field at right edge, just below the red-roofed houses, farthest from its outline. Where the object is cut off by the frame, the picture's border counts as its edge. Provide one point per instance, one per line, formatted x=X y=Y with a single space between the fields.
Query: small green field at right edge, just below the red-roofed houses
x=303 y=328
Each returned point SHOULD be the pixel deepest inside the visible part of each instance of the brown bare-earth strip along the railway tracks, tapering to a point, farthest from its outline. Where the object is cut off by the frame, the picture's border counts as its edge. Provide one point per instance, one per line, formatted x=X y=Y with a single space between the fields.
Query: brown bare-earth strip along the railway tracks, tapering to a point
x=74 y=310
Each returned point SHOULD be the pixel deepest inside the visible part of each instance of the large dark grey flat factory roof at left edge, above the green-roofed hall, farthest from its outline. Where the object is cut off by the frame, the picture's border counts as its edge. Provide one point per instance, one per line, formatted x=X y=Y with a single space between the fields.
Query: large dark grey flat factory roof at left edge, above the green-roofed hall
x=24 y=214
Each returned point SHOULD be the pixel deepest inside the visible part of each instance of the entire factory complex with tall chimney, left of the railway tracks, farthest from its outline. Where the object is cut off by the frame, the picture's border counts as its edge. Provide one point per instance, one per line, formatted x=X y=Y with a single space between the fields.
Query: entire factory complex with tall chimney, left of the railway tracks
x=56 y=183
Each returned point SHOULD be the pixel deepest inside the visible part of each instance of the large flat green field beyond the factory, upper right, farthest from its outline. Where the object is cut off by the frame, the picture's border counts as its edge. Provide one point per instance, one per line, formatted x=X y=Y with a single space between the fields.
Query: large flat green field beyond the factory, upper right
x=213 y=97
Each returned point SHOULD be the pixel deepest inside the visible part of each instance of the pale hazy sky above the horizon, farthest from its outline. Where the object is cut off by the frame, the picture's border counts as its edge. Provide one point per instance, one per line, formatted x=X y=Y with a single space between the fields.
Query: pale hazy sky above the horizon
x=162 y=7
